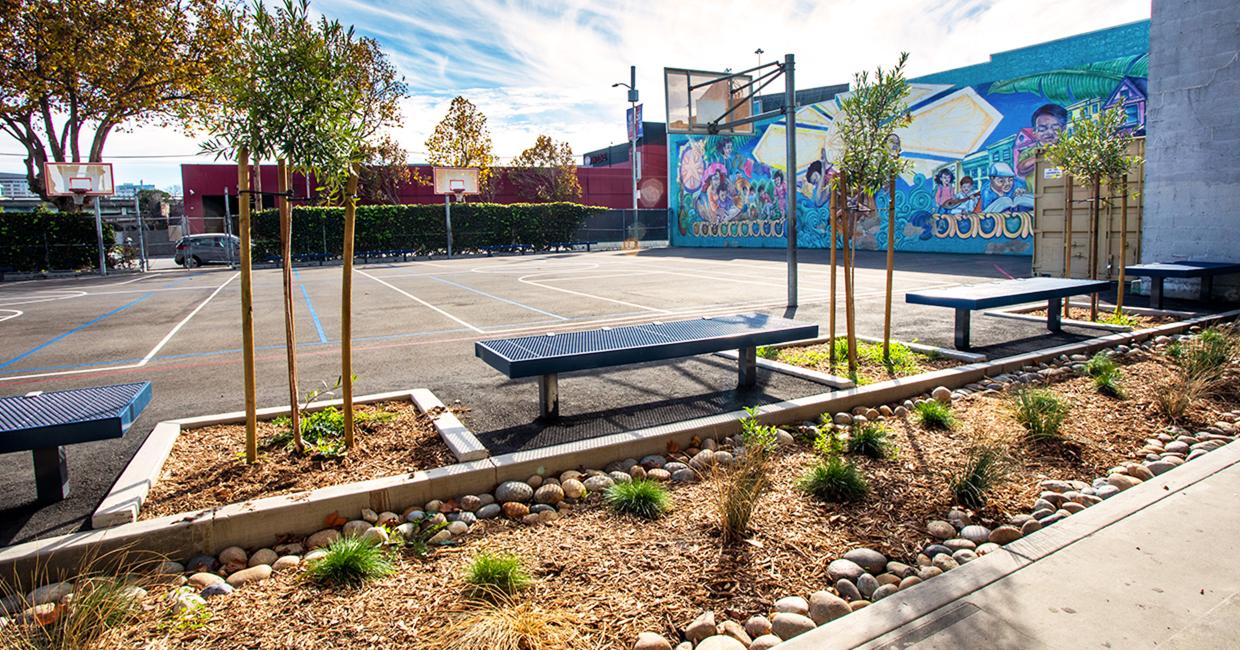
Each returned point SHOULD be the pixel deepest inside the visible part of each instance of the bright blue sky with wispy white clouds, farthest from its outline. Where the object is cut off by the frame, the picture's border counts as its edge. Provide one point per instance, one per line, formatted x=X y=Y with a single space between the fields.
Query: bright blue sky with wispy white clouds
x=547 y=68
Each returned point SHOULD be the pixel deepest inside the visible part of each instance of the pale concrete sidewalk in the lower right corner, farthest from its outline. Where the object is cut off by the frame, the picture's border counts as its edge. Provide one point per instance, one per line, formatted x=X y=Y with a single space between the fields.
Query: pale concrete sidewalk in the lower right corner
x=1153 y=568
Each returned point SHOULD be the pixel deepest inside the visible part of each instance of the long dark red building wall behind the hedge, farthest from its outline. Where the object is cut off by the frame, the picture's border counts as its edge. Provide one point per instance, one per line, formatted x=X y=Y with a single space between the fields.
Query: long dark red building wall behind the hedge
x=601 y=187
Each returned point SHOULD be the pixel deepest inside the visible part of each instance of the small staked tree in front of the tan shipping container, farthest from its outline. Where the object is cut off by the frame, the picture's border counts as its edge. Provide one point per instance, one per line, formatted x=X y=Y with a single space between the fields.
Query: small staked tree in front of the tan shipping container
x=1097 y=149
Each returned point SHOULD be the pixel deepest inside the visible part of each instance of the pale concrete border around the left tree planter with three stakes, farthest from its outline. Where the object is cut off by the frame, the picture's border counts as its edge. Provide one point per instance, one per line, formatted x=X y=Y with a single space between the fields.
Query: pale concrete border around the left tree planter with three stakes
x=127 y=496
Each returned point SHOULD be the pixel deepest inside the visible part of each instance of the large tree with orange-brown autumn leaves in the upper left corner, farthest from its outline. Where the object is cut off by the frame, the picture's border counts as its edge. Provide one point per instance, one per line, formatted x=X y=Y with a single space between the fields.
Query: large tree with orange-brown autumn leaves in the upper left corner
x=74 y=71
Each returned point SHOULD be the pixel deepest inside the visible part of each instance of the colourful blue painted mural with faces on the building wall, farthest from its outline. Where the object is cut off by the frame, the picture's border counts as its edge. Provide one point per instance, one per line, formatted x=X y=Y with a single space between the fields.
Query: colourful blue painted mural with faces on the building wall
x=974 y=152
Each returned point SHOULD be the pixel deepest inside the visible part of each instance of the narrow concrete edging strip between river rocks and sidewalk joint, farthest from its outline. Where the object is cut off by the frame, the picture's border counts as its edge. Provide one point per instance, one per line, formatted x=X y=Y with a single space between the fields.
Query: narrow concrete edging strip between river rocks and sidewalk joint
x=876 y=623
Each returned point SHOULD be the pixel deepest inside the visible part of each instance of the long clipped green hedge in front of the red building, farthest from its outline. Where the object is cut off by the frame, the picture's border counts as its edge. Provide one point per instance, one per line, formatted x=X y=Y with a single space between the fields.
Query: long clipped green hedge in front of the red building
x=421 y=228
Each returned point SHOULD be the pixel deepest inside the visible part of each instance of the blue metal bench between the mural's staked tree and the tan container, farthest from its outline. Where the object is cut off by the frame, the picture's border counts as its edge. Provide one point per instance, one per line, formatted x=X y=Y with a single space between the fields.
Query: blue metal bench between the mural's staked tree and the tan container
x=1004 y=293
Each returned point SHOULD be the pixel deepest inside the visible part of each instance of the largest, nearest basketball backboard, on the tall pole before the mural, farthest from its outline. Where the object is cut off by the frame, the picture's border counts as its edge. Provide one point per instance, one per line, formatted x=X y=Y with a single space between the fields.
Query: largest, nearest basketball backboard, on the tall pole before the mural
x=696 y=99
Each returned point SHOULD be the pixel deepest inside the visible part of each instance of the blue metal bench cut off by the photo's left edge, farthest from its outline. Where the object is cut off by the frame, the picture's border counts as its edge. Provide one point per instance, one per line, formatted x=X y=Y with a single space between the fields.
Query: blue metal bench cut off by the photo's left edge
x=43 y=424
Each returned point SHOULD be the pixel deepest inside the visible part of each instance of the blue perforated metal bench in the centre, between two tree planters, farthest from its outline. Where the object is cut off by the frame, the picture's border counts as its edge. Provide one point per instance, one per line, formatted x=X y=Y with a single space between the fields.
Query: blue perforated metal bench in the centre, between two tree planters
x=547 y=355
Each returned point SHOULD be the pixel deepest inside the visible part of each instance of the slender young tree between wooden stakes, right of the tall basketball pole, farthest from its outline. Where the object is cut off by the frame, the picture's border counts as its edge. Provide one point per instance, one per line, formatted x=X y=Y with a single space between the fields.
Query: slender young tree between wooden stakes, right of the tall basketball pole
x=871 y=115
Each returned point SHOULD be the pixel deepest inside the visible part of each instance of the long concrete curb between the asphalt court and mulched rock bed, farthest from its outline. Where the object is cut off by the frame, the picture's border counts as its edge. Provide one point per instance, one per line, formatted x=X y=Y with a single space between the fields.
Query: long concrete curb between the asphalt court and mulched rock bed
x=263 y=522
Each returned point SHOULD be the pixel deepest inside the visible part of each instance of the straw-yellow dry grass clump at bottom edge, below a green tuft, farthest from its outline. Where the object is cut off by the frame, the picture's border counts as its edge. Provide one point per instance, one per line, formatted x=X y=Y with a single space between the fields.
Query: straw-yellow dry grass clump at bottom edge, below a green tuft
x=508 y=626
